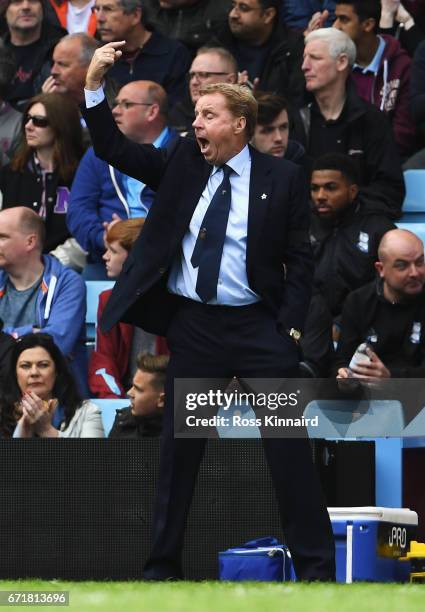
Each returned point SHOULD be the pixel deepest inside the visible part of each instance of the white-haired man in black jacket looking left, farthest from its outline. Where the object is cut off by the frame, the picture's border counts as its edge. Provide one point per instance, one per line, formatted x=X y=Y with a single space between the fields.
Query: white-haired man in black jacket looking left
x=338 y=121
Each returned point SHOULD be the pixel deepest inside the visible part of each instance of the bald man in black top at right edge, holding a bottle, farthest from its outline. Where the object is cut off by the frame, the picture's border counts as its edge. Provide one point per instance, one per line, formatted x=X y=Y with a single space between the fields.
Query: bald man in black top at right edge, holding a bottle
x=388 y=314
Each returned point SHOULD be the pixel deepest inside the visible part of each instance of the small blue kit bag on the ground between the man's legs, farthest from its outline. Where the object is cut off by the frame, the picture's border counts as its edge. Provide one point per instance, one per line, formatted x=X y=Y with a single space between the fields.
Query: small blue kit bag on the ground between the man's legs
x=263 y=560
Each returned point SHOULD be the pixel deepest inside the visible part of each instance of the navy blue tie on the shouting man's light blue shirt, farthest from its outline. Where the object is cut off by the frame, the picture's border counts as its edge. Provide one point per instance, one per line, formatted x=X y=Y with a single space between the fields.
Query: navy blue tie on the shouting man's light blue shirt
x=209 y=244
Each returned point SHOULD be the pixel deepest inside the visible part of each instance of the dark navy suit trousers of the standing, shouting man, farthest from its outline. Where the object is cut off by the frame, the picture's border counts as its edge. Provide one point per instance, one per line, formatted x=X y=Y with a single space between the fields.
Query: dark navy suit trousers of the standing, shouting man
x=222 y=342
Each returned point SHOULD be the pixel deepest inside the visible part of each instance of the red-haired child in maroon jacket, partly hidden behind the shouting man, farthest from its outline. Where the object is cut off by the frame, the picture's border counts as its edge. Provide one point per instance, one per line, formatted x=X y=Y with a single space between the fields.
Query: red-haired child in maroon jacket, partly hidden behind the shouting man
x=112 y=363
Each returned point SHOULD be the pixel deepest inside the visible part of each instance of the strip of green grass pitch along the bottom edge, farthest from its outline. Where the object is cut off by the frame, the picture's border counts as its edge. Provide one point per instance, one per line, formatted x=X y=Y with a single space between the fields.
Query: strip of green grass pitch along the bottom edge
x=227 y=597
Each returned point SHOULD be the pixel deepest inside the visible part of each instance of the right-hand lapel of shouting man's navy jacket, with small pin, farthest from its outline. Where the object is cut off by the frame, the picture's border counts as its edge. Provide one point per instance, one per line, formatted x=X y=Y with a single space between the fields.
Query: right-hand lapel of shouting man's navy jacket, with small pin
x=260 y=193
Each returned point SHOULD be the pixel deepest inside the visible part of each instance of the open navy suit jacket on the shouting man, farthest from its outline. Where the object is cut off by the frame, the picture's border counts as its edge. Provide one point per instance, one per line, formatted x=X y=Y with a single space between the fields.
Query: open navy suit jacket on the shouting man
x=278 y=258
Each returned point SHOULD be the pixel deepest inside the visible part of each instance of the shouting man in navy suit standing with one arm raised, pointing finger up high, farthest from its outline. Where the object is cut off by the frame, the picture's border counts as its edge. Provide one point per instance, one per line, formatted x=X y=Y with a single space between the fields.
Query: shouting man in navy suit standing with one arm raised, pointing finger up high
x=237 y=310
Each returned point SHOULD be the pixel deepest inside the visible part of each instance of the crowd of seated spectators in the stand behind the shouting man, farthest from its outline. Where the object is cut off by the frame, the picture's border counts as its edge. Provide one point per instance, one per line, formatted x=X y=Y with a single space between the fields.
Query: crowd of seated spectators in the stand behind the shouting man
x=340 y=87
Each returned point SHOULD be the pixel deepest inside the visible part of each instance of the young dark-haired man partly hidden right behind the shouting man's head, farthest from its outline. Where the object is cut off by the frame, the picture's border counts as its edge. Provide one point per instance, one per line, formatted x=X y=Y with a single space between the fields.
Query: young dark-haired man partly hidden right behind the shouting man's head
x=272 y=130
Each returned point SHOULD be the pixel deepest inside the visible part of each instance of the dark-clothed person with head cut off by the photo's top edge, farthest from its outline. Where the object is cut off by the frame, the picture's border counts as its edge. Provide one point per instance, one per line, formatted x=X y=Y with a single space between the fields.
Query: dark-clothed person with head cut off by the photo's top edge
x=192 y=22
